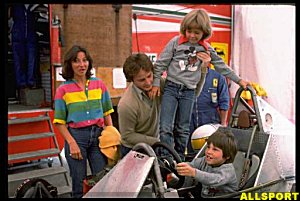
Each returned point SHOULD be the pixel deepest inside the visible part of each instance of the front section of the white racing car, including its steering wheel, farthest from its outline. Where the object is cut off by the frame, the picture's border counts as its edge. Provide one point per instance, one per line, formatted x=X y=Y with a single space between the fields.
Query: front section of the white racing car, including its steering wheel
x=141 y=173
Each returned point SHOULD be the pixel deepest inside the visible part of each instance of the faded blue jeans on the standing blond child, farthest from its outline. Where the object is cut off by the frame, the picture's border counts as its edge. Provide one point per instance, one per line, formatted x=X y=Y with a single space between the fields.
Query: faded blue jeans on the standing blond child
x=176 y=110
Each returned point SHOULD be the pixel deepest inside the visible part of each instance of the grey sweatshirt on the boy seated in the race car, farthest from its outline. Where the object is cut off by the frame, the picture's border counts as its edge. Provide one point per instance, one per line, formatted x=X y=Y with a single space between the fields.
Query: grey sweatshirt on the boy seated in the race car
x=215 y=180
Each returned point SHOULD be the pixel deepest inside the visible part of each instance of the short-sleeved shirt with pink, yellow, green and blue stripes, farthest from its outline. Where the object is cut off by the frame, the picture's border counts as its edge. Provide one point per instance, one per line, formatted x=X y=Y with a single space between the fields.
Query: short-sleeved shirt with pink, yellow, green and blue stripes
x=79 y=108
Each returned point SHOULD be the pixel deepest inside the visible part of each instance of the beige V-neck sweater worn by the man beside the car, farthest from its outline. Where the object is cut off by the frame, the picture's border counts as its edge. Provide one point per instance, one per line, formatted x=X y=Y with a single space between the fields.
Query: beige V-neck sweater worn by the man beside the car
x=138 y=117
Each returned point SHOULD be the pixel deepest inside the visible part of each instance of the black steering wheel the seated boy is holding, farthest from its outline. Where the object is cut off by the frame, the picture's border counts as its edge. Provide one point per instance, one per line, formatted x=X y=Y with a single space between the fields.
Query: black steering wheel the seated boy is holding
x=171 y=168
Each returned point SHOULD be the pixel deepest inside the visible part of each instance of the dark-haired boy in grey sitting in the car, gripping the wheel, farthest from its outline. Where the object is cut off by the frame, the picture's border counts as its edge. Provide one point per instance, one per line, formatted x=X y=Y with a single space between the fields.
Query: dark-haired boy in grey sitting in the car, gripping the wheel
x=215 y=170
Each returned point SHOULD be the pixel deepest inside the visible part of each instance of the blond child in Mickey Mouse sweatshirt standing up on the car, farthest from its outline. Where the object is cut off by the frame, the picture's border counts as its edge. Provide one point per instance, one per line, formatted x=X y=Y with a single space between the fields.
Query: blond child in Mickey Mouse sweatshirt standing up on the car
x=183 y=75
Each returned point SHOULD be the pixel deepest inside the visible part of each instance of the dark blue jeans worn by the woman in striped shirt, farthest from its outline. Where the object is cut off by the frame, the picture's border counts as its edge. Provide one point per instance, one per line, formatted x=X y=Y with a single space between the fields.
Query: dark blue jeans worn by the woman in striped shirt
x=87 y=140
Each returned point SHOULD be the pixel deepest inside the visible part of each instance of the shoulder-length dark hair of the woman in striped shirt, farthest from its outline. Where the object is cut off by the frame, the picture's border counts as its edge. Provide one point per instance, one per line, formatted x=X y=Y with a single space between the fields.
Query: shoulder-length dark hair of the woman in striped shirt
x=71 y=55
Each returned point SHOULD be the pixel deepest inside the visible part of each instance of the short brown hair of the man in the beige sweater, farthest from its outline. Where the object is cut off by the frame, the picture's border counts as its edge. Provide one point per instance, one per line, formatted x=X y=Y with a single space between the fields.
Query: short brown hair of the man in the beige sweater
x=134 y=63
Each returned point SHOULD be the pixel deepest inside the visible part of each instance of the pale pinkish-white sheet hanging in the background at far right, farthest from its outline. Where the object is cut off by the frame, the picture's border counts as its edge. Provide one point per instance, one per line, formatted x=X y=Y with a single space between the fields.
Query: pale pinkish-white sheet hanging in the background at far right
x=264 y=52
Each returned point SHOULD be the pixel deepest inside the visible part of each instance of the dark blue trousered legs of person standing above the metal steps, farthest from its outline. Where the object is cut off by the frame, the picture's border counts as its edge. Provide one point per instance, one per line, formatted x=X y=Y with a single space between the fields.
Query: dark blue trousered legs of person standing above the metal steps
x=24 y=44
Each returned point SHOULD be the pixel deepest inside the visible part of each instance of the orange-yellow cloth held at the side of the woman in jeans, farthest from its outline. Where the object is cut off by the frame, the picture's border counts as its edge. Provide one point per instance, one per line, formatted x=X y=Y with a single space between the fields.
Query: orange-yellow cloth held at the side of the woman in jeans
x=109 y=142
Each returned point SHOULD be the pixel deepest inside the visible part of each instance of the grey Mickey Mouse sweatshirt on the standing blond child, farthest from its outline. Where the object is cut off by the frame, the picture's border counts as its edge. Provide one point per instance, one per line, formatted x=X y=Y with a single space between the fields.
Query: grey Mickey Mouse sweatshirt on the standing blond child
x=174 y=53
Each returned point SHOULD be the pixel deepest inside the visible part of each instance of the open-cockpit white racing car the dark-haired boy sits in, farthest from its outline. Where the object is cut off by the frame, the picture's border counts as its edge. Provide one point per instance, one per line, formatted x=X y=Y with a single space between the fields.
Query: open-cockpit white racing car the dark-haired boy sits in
x=265 y=162
